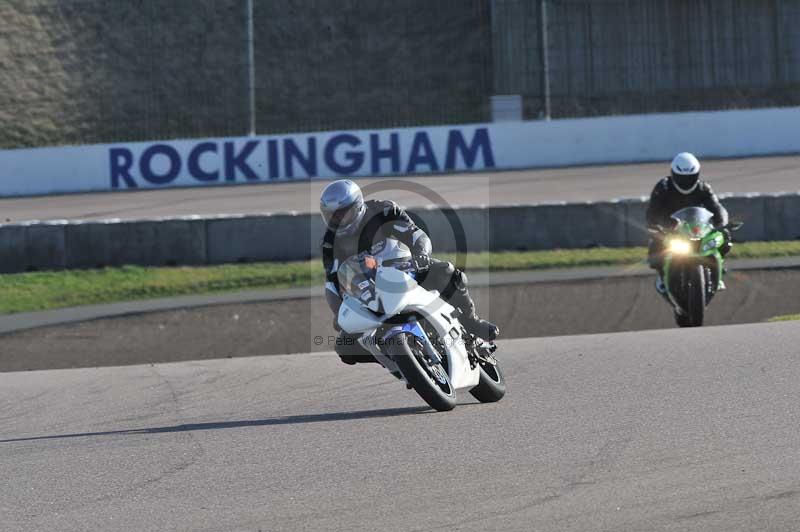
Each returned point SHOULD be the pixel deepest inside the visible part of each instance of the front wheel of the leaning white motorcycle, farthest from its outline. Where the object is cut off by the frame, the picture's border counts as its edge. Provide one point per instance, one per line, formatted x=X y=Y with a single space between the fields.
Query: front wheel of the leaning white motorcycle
x=430 y=381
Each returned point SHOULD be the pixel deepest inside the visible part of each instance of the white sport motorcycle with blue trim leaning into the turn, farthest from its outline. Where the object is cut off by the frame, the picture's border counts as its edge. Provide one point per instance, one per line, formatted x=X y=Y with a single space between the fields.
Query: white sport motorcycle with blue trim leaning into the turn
x=412 y=332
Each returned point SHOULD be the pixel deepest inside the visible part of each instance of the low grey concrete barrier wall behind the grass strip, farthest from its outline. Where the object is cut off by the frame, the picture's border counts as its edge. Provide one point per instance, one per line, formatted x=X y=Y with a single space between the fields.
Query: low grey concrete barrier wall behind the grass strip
x=289 y=237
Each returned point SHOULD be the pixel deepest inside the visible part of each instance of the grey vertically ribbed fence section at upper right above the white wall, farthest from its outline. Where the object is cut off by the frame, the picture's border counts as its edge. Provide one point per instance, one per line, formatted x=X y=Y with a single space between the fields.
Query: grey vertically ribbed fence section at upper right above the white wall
x=606 y=57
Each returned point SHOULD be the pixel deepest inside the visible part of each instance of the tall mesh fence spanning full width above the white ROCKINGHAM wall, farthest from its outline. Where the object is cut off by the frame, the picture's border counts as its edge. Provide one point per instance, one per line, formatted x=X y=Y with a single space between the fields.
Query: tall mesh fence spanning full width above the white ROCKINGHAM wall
x=83 y=71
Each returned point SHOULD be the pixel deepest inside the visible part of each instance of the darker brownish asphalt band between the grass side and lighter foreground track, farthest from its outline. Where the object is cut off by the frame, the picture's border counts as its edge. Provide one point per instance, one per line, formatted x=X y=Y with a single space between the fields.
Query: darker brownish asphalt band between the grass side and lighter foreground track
x=245 y=329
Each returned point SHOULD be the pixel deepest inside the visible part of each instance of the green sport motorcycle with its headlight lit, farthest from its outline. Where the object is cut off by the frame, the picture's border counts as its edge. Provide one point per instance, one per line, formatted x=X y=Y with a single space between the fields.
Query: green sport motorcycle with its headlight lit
x=693 y=265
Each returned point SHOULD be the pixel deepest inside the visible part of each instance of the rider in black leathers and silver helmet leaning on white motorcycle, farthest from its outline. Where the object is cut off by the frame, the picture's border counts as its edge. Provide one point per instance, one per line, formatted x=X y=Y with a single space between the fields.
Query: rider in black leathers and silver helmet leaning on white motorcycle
x=354 y=226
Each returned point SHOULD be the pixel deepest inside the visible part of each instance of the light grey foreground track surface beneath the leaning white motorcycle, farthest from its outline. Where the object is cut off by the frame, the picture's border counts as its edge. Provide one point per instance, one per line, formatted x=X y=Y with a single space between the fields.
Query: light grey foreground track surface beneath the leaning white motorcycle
x=660 y=430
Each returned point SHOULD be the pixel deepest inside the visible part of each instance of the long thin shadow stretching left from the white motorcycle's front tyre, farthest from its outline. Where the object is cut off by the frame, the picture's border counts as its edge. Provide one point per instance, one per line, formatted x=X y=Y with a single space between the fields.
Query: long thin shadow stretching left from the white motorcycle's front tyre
x=287 y=420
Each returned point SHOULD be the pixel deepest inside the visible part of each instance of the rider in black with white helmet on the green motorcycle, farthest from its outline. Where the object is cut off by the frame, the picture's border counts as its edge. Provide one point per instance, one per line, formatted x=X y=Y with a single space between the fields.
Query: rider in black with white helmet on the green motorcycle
x=682 y=188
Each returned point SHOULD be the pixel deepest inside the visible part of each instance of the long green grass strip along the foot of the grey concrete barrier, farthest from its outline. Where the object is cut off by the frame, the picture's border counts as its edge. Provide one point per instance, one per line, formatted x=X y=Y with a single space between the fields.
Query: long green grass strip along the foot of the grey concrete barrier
x=35 y=291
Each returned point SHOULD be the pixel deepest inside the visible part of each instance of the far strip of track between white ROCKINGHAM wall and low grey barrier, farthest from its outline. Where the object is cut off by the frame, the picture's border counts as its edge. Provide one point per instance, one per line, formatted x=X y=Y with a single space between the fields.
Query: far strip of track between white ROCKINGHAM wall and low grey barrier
x=590 y=183
